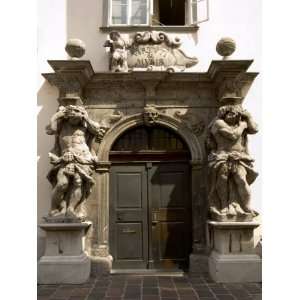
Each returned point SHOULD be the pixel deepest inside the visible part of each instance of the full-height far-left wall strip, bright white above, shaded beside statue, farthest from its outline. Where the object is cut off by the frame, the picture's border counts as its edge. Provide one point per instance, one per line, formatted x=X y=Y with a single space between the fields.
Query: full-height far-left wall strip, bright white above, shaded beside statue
x=52 y=35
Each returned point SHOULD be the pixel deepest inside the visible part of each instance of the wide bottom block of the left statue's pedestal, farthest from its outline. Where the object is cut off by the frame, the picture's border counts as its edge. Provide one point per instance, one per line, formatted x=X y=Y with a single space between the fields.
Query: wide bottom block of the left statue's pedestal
x=64 y=269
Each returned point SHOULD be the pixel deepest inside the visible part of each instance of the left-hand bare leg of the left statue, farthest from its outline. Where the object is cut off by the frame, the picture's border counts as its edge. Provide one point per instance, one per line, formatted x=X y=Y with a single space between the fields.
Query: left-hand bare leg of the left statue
x=59 y=191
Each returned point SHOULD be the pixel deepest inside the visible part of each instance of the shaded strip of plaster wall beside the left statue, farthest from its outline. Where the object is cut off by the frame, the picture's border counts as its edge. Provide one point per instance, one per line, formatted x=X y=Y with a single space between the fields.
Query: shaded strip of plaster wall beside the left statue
x=47 y=104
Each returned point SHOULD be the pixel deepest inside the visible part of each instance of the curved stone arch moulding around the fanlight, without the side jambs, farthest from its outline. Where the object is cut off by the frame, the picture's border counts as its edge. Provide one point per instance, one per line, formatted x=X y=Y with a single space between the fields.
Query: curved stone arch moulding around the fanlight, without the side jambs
x=164 y=120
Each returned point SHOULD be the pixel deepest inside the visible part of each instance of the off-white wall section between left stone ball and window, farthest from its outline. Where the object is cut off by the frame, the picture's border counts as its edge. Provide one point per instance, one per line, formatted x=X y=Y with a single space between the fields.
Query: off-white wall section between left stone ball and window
x=83 y=21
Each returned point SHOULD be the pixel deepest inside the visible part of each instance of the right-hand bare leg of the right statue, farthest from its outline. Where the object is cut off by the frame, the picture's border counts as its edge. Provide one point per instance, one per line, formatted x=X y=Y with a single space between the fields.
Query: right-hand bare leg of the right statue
x=243 y=188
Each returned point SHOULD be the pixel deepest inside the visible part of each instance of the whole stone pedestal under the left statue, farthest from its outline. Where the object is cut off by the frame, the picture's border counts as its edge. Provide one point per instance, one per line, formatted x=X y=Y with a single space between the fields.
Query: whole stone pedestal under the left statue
x=64 y=260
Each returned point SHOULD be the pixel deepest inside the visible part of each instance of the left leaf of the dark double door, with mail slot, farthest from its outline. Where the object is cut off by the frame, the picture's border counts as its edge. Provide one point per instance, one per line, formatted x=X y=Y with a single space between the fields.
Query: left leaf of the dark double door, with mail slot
x=128 y=217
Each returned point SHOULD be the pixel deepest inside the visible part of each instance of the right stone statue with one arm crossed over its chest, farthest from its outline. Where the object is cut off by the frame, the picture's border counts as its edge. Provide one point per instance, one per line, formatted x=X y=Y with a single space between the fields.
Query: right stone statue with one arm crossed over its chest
x=230 y=166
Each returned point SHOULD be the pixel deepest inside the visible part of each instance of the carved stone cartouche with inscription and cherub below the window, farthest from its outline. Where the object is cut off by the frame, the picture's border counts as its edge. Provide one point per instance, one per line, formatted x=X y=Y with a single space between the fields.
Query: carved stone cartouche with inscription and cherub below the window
x=148 y=51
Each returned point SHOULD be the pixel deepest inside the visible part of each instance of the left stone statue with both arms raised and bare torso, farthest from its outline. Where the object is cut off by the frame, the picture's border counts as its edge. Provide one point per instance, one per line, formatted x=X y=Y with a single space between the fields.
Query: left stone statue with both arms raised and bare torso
x=73 y=160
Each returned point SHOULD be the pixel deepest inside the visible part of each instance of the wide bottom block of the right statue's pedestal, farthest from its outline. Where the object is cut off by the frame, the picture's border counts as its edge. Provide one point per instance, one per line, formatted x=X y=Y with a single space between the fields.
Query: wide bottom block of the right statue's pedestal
x=234 y=267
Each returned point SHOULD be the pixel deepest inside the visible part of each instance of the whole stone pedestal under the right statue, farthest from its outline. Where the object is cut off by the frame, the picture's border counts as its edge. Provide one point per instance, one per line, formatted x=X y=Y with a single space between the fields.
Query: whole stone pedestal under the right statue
x=233 y=257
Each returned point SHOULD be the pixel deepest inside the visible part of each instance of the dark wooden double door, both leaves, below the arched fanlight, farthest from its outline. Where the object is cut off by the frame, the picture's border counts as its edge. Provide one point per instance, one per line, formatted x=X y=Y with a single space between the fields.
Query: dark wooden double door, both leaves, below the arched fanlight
x=150 y=216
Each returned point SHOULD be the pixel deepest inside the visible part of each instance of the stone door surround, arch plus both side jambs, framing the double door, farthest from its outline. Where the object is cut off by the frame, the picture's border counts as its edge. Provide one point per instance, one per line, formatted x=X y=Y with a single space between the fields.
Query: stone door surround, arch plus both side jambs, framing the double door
x=198 y=181
